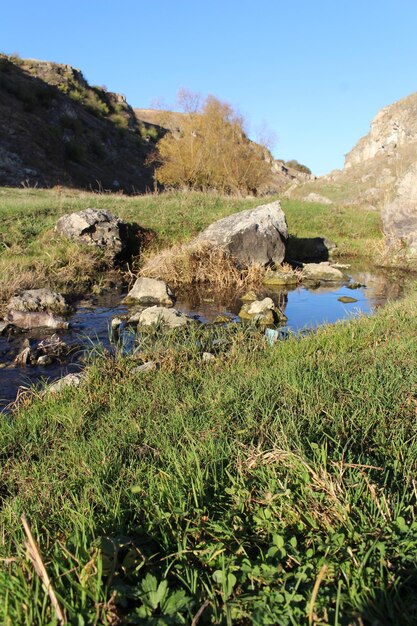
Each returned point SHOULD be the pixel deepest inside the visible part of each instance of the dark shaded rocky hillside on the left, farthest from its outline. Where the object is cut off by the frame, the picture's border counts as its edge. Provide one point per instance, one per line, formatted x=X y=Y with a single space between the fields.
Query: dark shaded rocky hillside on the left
x=56 y=129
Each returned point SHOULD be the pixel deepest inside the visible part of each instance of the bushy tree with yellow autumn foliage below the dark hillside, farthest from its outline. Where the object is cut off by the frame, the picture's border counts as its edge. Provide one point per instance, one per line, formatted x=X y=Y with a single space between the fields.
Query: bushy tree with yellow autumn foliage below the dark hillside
x=211 y=151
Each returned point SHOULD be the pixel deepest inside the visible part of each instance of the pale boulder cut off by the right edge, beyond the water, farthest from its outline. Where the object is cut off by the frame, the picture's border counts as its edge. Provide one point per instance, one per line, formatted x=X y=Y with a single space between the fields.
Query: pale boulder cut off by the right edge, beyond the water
x=399 y=218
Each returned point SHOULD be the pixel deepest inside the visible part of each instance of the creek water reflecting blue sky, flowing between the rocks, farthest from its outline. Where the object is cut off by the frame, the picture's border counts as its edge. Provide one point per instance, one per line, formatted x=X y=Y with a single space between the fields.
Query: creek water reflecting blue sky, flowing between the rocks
x=305 y=308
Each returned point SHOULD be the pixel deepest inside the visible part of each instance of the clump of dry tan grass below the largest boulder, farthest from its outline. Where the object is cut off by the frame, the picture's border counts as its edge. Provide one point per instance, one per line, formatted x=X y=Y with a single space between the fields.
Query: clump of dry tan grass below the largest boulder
x=182 y=266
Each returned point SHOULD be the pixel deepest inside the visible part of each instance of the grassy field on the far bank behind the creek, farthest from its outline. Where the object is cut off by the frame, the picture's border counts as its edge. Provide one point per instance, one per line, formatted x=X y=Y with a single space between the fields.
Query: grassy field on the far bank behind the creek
x=32 y=255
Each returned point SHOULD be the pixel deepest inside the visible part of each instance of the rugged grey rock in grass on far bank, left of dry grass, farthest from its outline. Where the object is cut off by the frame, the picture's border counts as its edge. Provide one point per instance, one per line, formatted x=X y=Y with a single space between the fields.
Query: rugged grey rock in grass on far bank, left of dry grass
x=95 y=227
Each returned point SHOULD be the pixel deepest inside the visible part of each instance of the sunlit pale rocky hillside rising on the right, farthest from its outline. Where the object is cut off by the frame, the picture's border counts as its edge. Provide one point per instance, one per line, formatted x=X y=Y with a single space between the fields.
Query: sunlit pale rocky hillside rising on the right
x=375 y=166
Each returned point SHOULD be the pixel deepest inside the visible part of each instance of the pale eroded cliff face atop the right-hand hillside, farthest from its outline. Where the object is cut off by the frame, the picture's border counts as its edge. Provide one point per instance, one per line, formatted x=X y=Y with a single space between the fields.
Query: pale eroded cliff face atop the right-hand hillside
x=393 y=126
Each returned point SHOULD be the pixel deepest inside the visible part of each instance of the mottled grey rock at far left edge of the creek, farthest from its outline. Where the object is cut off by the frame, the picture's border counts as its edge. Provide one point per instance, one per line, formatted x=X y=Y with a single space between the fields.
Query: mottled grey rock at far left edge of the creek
x=37 y=307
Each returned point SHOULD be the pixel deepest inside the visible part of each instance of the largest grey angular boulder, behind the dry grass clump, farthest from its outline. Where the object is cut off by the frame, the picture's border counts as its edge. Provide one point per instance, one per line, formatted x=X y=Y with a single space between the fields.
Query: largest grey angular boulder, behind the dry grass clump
x=254 y=237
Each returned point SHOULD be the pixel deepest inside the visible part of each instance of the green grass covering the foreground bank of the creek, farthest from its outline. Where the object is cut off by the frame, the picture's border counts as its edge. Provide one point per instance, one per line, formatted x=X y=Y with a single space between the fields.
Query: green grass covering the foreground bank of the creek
x=275 y=485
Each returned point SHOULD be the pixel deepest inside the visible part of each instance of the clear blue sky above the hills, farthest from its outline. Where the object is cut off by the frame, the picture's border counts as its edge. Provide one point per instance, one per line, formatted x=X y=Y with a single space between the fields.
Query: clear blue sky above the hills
x=315 y=72
